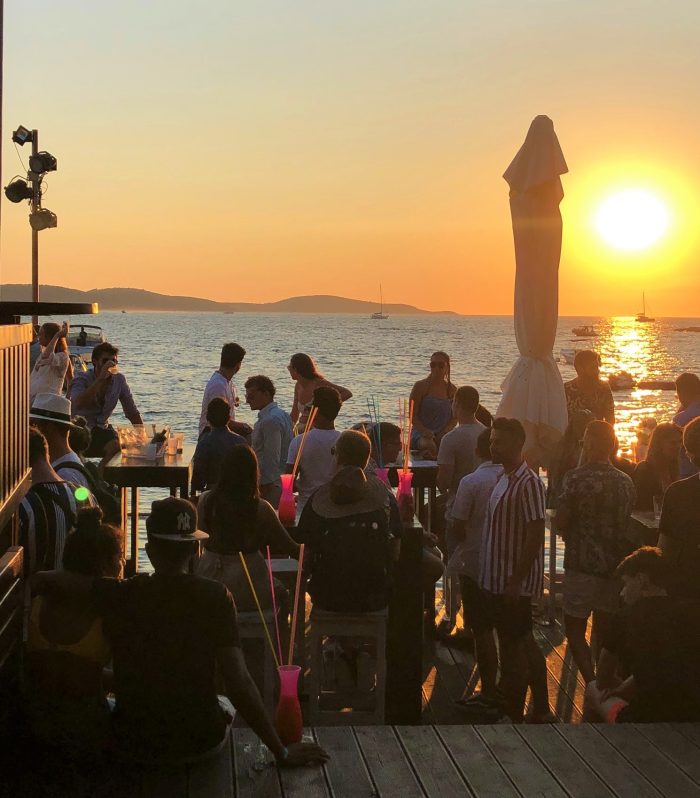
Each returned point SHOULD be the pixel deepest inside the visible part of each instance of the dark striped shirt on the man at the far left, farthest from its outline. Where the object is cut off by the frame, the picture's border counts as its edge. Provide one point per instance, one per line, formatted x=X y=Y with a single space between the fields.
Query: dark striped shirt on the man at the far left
x=43 y=523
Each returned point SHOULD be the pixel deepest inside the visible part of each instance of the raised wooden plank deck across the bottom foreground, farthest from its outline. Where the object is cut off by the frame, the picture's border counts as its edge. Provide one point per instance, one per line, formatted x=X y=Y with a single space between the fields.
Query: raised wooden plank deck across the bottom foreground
x=585 y=761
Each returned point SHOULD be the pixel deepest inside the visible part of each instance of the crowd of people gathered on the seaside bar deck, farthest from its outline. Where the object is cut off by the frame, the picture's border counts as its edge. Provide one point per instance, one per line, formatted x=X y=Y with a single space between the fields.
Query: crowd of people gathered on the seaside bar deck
x=171 y=637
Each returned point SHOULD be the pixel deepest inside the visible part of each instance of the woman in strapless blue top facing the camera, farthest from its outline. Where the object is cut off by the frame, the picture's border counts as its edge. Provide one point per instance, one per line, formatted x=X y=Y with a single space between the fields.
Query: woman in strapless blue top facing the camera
x=432 y=406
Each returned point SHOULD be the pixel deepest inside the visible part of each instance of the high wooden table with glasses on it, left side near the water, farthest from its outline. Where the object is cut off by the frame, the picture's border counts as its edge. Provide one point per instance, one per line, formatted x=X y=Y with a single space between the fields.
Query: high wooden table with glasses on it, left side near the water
x=172 y=471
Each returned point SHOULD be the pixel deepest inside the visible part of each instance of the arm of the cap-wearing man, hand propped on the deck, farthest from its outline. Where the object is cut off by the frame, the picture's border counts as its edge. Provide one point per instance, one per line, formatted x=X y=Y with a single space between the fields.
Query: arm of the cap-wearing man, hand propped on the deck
x=244 y=695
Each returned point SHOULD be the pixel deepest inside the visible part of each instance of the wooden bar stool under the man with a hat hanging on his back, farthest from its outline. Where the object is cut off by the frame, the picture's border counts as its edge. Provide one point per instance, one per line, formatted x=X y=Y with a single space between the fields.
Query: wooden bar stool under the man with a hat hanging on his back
x=369 y=626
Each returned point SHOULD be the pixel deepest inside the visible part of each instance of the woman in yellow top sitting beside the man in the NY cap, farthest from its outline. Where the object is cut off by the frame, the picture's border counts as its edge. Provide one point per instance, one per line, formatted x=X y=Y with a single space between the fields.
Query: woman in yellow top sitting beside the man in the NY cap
x=67 y=649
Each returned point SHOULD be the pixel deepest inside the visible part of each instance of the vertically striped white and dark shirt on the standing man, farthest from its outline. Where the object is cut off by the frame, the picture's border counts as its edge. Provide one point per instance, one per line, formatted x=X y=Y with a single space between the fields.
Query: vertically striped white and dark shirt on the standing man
x=517 y=499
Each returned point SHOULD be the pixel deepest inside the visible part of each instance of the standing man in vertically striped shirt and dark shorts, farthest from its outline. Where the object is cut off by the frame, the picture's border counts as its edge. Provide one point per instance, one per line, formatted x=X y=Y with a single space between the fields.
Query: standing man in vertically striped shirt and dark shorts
x=512 y=569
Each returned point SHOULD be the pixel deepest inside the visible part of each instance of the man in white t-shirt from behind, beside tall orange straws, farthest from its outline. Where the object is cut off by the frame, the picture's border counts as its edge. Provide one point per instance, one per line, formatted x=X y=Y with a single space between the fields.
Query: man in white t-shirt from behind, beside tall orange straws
x=317 y=464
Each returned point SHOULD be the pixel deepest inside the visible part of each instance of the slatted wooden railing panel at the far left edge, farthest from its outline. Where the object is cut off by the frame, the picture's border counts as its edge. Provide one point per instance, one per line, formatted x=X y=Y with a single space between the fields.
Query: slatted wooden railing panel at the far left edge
x=14 y=421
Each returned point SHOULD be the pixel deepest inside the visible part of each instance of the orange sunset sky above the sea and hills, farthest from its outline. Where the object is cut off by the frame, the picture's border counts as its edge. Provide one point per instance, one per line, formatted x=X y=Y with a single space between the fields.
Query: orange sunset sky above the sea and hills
x=255 y=151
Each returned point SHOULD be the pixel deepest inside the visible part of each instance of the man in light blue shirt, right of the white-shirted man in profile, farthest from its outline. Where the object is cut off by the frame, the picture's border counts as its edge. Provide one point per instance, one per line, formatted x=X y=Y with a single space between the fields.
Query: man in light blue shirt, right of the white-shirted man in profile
x=272 y=434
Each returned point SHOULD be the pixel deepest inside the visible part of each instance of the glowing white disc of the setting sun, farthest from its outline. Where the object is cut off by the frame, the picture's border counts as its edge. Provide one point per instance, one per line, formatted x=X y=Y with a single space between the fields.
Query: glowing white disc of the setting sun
x=632 y=220
